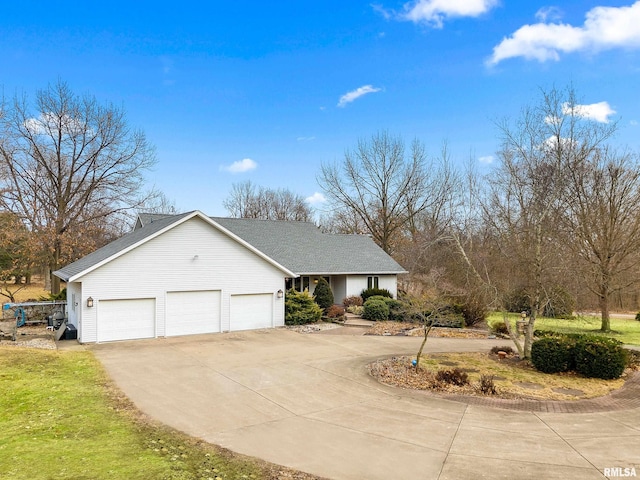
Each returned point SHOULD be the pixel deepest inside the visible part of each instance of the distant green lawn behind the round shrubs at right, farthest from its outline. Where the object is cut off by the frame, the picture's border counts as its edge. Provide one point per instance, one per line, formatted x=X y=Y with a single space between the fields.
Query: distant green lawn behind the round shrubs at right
x=625 y=330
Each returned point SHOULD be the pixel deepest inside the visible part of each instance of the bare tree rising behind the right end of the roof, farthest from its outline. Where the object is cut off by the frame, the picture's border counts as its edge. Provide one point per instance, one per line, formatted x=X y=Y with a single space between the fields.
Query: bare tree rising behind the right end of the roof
x=385 y=187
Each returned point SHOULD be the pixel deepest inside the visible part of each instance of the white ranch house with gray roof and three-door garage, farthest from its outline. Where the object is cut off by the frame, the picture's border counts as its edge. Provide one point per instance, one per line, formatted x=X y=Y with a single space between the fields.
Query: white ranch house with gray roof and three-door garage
x=189 y=273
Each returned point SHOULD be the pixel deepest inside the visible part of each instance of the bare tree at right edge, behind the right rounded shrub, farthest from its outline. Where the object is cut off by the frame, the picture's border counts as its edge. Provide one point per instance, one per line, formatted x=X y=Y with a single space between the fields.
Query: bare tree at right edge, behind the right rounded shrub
x=603 y=218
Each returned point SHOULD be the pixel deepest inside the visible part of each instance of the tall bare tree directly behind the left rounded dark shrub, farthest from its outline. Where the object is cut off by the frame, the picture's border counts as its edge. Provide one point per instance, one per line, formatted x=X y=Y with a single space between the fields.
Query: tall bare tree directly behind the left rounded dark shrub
x=530 y=187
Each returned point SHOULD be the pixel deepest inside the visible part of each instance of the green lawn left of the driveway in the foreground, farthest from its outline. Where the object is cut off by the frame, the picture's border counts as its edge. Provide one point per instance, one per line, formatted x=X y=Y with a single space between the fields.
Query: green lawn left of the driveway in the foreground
x=61 y=418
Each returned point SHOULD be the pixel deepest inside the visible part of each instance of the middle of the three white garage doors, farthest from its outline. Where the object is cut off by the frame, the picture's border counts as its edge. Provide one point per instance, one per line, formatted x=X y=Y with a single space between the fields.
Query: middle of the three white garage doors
x=189 y=313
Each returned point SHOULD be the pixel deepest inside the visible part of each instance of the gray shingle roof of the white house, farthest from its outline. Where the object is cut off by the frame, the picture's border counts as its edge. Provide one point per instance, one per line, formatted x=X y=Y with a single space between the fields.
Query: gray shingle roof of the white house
x=300 y=247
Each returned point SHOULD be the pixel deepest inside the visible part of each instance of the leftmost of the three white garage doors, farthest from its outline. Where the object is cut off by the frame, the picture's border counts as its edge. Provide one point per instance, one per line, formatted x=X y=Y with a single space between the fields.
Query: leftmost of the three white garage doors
x=126 y=319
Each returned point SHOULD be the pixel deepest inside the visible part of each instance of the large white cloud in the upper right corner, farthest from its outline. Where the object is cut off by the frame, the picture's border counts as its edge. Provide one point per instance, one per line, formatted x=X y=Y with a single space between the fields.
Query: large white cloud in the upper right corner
x=604 y=28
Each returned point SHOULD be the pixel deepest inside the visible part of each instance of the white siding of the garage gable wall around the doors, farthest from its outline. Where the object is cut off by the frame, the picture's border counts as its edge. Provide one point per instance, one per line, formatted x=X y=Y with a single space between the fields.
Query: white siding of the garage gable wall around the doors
x=192 y=256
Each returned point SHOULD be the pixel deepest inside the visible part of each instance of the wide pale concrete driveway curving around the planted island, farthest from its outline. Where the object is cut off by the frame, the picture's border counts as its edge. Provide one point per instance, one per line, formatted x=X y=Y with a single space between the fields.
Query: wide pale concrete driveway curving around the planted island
x=306 y=401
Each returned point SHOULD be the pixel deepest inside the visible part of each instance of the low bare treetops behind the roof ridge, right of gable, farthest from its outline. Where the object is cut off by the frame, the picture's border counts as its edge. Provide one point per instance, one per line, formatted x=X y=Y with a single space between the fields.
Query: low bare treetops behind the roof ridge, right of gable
x=249 y=201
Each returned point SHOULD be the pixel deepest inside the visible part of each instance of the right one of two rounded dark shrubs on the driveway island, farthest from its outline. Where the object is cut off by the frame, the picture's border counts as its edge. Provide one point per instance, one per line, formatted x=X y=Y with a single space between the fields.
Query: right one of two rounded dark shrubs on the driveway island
x=600 y=357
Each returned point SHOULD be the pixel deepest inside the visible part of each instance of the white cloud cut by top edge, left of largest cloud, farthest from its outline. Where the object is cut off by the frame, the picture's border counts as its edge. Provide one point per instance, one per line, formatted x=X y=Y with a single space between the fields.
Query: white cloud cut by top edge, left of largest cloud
x=434 y=12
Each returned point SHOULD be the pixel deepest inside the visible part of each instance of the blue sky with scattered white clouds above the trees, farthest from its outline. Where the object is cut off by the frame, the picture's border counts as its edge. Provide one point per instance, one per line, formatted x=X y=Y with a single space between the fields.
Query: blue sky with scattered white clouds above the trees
x=267 y=91
